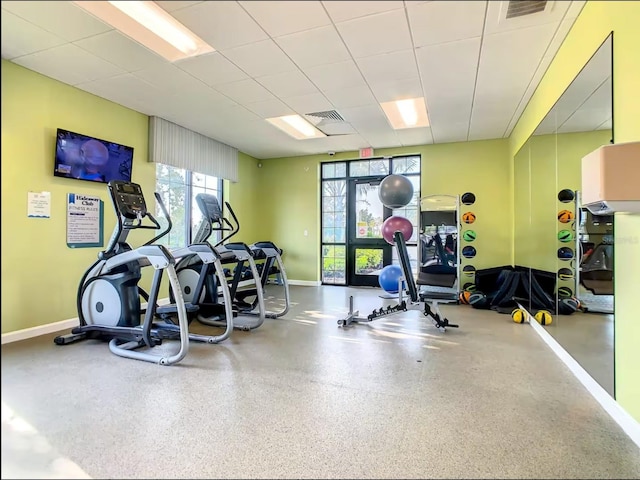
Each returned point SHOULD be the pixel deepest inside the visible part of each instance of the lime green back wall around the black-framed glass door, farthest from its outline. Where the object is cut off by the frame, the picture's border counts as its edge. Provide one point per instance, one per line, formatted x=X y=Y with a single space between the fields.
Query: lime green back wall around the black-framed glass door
x=291 y=189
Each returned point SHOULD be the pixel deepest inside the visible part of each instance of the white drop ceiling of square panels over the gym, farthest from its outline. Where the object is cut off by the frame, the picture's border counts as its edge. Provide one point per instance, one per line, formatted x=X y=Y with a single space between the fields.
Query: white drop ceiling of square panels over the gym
x=476 y=68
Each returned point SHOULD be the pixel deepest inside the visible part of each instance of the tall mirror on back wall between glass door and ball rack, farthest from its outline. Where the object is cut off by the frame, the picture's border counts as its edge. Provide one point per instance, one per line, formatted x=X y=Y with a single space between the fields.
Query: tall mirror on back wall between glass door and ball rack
x=439 y=251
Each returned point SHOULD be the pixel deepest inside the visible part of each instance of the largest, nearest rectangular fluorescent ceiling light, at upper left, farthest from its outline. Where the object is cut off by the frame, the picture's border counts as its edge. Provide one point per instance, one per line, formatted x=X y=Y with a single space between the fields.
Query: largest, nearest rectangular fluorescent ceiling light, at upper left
x=150 y=25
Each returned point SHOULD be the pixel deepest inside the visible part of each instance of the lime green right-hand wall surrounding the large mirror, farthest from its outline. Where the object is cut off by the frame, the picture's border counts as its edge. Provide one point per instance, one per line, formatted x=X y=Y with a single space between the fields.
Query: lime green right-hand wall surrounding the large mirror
x=595 y=22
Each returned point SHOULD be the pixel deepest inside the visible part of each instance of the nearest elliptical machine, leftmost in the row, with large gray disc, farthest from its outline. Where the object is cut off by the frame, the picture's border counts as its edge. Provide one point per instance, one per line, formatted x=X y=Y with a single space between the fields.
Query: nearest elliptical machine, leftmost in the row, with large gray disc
x=108 y=299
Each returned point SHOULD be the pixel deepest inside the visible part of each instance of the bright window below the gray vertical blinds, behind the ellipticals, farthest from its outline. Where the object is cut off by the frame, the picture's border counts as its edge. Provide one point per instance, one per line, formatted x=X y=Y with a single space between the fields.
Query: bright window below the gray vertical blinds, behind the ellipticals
x=178 y=188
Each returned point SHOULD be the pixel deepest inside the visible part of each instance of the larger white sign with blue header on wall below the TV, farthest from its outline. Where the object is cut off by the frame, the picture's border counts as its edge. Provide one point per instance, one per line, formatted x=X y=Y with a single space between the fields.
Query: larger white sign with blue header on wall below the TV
x=84 y=221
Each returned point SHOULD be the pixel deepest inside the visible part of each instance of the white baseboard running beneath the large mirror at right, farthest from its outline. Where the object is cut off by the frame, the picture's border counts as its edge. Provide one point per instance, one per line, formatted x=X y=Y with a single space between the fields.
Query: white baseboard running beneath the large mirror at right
x=629 y=424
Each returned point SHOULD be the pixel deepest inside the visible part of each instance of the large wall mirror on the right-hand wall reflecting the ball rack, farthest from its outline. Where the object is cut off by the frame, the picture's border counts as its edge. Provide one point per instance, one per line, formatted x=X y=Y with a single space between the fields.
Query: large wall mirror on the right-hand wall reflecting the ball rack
x=567 y=251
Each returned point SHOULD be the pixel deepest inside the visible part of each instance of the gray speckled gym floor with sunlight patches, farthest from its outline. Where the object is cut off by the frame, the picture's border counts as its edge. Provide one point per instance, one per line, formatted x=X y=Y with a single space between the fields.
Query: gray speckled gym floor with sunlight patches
x=302 y=398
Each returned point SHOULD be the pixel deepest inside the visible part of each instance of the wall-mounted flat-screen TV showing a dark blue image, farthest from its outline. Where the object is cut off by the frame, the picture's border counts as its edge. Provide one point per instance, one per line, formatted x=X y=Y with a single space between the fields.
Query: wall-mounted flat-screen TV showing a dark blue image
x=88 y=158
